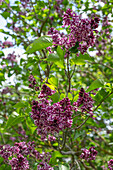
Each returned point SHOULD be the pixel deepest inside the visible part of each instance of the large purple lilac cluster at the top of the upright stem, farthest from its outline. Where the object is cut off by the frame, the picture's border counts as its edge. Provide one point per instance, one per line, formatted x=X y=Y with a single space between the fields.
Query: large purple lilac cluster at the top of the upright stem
x=81 y=31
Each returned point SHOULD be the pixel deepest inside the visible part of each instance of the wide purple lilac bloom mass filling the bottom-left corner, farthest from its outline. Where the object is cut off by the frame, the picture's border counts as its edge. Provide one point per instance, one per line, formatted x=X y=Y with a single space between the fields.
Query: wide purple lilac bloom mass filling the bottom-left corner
x=16 y=155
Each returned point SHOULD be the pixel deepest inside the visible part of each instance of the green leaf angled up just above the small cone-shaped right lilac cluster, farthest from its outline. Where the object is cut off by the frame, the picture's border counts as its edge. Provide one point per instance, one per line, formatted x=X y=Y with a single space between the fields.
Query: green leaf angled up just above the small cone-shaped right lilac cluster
x=96 y=84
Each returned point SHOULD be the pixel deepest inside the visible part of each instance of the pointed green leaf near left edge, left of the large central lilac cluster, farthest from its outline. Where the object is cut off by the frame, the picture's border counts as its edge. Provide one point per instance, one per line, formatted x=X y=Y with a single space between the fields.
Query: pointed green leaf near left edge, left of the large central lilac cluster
x=14 y=119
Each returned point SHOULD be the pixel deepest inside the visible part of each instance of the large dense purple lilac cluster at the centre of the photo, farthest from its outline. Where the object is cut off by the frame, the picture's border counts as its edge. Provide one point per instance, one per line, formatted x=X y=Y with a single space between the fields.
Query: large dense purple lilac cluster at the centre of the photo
x=48 y=118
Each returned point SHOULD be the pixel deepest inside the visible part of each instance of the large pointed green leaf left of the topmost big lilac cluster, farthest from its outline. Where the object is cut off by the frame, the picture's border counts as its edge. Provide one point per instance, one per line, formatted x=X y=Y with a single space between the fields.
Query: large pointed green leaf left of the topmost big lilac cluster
x=39 y=44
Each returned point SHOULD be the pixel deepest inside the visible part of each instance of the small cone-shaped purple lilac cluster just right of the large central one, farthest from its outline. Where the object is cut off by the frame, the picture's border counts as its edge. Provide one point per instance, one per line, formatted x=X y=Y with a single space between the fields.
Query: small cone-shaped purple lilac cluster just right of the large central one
x=86 y=101
